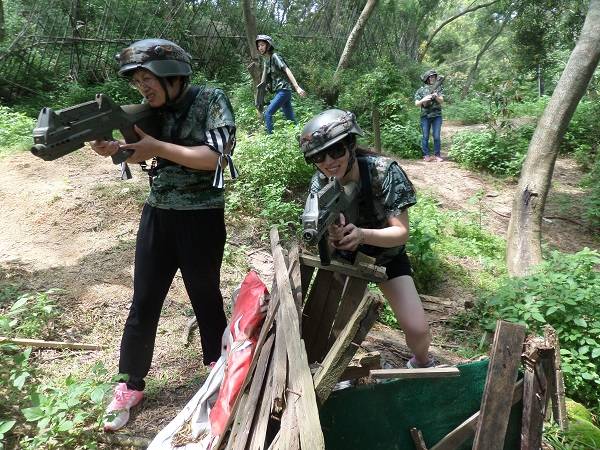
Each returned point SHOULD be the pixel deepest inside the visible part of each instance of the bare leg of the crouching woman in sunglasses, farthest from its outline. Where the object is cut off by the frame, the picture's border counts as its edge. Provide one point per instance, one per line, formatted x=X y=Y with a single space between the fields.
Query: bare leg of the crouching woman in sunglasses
x=406 y=304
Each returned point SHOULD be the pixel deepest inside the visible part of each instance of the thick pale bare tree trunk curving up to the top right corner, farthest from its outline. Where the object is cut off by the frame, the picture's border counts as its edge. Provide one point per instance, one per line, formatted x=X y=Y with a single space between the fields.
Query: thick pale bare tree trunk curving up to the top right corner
x=524 y=248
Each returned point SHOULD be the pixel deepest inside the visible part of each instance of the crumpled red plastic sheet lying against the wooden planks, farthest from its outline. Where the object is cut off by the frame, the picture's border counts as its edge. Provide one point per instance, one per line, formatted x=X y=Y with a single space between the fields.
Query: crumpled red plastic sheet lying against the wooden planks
x=248 y=314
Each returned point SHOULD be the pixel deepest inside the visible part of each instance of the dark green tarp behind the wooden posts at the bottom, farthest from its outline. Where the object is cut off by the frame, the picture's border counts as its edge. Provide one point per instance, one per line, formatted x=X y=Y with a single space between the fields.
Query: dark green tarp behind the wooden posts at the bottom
x=379 y=416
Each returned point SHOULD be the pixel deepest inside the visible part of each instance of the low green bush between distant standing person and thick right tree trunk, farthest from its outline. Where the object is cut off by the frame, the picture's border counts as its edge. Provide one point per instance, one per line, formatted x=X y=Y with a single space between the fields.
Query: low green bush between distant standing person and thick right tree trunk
x=500 y=153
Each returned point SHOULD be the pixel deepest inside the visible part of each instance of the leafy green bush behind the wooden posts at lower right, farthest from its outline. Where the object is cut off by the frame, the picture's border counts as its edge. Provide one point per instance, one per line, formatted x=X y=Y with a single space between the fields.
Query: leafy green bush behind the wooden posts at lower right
x=562 y=292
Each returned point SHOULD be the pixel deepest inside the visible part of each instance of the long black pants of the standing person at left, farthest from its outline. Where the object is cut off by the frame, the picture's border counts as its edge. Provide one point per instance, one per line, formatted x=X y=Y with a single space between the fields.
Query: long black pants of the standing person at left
x=167 y=240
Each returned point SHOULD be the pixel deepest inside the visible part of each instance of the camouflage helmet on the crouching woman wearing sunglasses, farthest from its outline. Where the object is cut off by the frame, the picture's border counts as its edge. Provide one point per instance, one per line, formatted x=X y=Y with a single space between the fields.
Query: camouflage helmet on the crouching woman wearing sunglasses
x=327 y=128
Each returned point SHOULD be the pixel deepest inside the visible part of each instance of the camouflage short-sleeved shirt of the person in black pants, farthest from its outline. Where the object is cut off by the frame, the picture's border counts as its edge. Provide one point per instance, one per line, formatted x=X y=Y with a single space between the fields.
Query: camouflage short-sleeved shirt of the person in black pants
x=178 y=187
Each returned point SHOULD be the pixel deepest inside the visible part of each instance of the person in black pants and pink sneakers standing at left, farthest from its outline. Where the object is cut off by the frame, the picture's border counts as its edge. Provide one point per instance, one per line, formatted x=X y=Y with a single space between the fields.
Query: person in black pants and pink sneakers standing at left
x=182 y=224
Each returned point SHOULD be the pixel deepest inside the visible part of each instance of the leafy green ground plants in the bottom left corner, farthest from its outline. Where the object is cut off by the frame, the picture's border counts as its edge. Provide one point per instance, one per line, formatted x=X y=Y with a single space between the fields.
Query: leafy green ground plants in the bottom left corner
x=35 y=412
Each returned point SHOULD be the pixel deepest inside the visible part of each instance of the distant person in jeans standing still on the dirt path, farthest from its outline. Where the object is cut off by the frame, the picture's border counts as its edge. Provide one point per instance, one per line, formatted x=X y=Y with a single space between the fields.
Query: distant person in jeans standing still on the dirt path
x=430 y=98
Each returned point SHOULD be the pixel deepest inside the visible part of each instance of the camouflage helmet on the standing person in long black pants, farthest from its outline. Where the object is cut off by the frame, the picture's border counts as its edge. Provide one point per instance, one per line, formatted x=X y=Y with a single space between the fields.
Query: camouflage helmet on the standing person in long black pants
x=161 y=57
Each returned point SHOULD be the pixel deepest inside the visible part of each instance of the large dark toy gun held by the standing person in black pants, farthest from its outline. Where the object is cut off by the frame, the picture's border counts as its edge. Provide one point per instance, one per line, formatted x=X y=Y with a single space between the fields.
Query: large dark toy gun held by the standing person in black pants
x=58 y=133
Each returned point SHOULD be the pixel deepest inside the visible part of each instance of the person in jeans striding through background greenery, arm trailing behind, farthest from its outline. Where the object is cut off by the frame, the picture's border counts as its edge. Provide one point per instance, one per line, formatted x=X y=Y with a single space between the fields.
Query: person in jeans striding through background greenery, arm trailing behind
x=279 y=80
